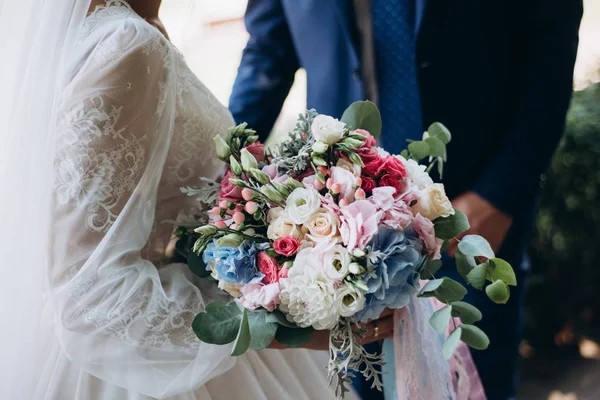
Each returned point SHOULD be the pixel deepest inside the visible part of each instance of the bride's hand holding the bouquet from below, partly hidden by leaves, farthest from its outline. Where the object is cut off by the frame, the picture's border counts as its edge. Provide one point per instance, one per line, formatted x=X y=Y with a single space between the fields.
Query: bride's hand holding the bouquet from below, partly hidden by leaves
x=378 y=329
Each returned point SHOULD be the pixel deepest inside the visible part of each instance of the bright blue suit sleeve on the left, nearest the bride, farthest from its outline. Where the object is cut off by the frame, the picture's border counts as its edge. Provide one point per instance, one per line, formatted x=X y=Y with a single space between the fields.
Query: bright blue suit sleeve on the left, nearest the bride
x=267 y=69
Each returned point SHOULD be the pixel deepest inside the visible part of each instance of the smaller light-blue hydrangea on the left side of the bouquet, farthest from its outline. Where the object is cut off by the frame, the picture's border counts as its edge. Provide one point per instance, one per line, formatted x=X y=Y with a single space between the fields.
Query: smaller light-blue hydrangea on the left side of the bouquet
x=235 y=265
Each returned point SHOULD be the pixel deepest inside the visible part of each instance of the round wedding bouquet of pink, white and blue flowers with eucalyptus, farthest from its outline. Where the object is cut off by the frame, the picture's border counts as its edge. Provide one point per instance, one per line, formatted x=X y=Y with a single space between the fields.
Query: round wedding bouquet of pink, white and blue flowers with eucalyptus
x=327 y=231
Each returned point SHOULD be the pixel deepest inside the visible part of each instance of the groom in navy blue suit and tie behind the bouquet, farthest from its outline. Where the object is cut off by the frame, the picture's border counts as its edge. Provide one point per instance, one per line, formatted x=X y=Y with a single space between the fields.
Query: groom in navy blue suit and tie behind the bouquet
x=497 y=73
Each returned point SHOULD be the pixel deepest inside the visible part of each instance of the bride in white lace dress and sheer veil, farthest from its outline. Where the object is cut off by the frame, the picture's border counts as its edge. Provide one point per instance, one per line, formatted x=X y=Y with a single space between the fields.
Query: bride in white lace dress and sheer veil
x=102 y=124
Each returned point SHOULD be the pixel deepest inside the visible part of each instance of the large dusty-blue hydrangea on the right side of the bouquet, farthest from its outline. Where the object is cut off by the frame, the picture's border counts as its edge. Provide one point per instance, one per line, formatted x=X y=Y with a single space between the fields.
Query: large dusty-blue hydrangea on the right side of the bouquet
x=397 y=257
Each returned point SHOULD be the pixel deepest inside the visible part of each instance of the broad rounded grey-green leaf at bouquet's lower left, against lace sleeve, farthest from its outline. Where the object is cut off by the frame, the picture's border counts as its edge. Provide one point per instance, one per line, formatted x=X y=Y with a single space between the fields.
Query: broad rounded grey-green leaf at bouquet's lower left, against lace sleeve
x=219 y=323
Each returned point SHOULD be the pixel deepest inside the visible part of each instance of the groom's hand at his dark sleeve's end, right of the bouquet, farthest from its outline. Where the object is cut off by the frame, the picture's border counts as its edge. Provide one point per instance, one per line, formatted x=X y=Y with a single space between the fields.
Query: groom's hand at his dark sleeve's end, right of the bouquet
x=485 y=220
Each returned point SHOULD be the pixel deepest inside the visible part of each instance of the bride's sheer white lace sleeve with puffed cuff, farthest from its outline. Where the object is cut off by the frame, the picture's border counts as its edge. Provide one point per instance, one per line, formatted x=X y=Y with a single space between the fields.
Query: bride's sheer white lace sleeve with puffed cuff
x=125 y=321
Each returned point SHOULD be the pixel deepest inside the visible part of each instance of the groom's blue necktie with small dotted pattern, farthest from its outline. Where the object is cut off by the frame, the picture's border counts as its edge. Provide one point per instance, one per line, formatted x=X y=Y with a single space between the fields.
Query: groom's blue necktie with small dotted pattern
x=395 y=59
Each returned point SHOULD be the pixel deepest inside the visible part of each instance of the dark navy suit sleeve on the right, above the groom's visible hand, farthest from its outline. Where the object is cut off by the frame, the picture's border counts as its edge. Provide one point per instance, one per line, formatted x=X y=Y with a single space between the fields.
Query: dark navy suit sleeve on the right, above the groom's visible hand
x=550 y=37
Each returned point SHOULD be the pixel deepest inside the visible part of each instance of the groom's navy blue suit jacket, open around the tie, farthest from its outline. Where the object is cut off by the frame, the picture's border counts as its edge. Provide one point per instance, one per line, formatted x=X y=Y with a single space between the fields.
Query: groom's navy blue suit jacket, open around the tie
x=497 y=73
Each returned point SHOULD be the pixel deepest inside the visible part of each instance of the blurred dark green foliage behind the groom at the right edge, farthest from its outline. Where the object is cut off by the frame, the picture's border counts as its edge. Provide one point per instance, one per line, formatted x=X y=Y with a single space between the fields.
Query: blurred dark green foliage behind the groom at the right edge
x=564 y=291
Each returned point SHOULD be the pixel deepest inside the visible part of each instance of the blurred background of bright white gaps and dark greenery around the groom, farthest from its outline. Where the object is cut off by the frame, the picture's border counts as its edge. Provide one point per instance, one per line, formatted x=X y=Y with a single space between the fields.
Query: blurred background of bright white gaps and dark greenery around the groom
x=561 y=347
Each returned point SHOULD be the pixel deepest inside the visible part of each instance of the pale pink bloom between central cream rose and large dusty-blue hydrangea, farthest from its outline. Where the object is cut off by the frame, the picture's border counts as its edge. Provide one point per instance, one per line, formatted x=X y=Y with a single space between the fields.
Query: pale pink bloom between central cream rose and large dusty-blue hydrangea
x=359 y=223
